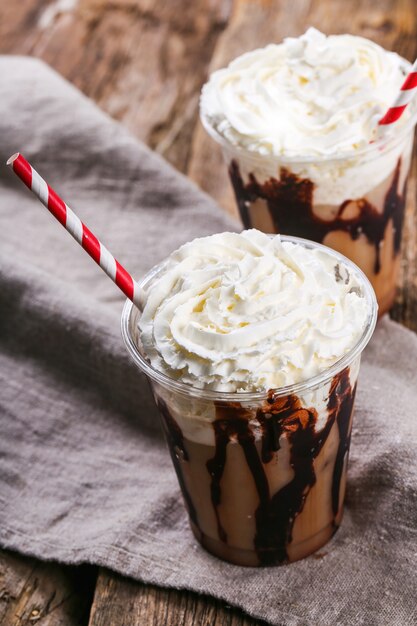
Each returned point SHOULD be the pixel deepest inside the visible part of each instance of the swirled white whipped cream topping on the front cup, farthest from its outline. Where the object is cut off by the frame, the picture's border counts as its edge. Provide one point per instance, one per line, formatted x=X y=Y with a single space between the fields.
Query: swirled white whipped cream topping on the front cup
x=248 y=312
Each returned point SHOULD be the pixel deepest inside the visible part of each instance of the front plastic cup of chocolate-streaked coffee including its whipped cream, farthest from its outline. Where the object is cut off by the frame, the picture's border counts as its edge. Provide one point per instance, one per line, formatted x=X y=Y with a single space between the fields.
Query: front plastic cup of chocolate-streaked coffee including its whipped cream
x=252 y=345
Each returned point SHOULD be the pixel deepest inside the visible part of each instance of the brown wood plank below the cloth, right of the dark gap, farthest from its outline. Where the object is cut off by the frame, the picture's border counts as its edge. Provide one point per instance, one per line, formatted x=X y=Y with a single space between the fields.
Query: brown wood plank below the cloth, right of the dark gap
x=119 y=601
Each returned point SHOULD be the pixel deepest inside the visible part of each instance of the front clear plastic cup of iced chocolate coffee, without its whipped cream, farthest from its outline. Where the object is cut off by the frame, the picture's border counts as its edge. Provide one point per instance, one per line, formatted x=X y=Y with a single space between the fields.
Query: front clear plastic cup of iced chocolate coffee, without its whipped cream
x=262 y=475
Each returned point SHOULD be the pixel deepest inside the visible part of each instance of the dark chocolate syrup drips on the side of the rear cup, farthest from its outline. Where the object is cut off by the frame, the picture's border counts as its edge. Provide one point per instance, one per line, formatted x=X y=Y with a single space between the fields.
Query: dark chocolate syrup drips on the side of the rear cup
x=290 y=204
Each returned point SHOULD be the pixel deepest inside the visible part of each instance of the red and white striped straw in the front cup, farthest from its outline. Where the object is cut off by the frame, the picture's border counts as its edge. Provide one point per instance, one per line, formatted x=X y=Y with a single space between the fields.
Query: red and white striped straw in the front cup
x=74 y=225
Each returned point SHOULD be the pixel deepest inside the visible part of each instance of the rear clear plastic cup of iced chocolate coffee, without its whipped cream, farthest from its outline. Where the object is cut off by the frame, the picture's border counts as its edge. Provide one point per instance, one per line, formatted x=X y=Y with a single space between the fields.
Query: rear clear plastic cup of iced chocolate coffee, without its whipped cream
x=353 y=202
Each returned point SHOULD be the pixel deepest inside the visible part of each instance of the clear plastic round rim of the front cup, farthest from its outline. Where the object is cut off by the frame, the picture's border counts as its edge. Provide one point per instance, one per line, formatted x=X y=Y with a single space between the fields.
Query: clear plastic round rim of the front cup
x=309 y=384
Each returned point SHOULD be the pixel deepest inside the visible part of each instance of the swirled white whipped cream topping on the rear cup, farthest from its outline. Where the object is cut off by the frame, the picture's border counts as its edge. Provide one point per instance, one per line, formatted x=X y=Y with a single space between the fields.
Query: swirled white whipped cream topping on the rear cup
x=311 y=95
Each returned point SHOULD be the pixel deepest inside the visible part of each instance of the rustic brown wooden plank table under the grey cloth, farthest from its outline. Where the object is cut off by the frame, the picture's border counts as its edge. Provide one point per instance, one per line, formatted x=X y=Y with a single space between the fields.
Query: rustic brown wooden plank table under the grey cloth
x=144 y=63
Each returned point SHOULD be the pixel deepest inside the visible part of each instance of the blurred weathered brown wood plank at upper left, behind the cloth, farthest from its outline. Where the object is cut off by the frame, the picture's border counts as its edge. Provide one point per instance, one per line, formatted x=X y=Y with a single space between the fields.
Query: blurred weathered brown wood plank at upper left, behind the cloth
x=142 y=61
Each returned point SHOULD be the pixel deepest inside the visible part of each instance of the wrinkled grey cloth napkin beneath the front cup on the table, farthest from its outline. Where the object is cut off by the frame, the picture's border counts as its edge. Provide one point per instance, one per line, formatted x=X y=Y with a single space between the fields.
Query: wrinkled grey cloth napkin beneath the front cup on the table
x=84 y=472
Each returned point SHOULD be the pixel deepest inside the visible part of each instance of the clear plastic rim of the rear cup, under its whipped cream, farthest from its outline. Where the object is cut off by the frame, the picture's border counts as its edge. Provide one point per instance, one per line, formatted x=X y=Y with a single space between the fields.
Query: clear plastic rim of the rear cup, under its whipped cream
x=382 y=145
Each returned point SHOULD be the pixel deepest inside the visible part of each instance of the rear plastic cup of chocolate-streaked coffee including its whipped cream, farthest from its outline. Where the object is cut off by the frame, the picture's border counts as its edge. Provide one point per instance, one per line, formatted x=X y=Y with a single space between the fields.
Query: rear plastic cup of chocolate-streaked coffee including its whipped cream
x=297 y=124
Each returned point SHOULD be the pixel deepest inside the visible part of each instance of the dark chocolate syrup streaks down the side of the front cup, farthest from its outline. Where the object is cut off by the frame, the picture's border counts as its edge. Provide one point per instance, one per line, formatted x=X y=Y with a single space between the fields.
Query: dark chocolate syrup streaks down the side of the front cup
x=275 y=515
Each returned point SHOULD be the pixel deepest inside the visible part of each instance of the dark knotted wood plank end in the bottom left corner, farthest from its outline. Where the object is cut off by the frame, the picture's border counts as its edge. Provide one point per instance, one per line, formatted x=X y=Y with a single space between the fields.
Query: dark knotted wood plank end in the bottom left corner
x=32 y=592
